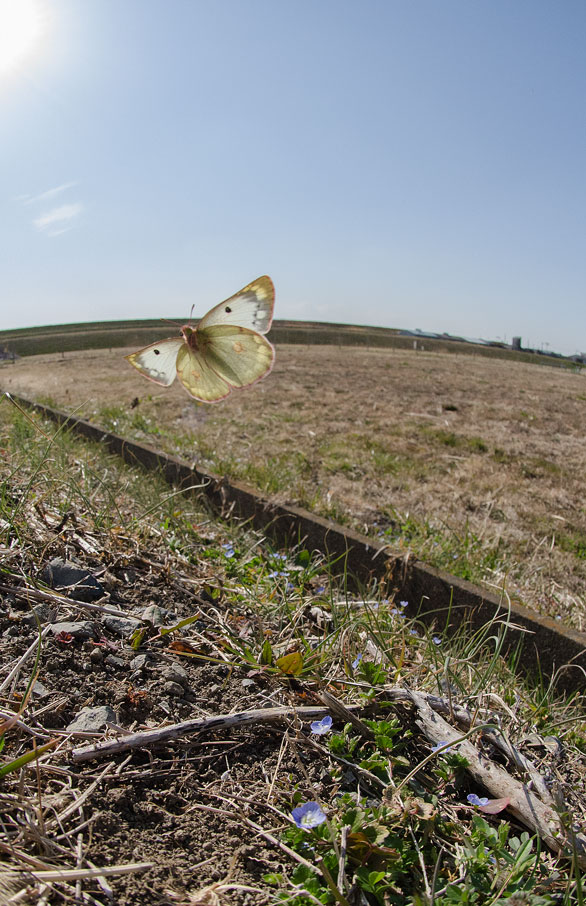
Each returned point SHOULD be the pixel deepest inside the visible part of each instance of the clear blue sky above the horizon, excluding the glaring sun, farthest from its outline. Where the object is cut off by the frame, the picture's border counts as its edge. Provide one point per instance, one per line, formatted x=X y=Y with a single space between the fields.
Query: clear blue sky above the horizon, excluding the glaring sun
x=405 y=163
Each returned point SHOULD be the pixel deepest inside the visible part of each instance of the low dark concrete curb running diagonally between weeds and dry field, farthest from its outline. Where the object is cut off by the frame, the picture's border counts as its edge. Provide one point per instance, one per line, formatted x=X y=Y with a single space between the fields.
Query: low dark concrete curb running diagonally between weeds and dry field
x=433 y=595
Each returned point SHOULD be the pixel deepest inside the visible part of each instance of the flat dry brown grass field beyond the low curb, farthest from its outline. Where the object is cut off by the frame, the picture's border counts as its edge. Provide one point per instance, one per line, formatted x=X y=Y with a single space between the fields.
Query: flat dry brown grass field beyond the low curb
x=459 y=458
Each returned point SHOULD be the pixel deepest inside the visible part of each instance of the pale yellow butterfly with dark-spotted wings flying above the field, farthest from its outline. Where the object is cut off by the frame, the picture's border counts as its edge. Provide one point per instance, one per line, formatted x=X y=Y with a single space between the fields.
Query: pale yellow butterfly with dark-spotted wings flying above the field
x=226 y=351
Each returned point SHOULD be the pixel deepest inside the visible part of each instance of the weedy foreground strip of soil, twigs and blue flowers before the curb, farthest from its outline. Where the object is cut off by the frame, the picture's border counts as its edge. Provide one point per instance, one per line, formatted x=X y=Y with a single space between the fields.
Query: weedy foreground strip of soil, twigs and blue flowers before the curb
x=384 y=765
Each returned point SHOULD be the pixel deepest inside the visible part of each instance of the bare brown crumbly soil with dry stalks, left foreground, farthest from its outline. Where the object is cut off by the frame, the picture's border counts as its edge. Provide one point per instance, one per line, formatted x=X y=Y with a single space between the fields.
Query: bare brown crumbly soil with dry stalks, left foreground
x=180 y=807
